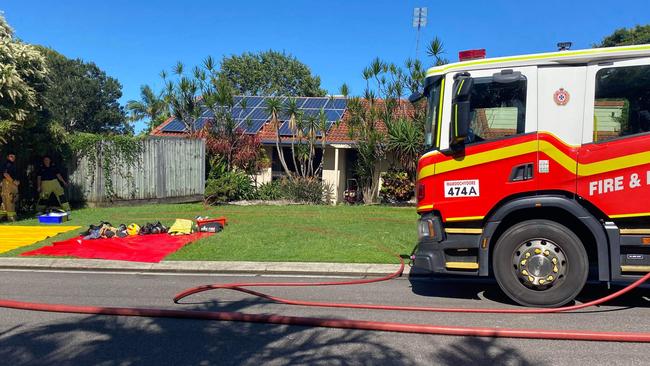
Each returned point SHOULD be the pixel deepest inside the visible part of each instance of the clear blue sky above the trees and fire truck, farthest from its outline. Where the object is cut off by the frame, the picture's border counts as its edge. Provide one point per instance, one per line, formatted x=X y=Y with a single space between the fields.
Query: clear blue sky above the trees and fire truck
x=134 y=40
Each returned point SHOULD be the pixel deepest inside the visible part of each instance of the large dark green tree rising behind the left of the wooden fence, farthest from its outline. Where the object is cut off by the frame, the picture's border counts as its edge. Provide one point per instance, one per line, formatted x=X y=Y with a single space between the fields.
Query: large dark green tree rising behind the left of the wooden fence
x=81 y=97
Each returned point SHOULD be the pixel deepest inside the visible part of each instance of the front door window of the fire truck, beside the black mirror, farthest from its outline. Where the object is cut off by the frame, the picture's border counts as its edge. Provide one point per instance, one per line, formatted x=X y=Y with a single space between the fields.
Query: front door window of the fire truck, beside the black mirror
x=497 y=109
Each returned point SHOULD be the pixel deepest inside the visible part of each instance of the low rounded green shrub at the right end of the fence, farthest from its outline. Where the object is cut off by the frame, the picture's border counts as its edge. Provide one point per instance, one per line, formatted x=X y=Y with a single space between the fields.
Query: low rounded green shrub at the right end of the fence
x=229 y=186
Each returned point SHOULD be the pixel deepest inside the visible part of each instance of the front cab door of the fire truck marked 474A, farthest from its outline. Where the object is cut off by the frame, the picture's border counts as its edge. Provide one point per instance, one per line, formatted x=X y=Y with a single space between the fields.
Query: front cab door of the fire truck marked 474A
x=497 y=157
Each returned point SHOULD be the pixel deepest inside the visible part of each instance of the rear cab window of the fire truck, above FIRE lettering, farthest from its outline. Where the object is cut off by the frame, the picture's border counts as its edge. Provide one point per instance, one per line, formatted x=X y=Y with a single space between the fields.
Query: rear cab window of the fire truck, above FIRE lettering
x=622 y=102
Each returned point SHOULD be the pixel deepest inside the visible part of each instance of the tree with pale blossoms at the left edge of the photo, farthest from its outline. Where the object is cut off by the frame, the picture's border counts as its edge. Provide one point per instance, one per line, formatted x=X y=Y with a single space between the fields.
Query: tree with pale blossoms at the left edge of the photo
x=23 y=77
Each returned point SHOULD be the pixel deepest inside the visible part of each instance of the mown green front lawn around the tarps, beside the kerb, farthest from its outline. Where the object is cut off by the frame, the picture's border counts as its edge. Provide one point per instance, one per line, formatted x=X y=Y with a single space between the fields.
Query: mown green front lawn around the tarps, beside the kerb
x=349 y=234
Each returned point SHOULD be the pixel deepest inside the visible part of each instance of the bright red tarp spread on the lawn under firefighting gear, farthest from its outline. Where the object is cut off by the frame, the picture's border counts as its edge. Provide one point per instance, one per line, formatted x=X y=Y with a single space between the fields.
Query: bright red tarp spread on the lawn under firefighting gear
x=140 y=248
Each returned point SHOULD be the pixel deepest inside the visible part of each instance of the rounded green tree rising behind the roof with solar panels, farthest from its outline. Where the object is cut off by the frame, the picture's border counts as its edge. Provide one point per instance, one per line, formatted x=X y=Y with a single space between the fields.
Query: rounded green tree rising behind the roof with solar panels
x=270 y=73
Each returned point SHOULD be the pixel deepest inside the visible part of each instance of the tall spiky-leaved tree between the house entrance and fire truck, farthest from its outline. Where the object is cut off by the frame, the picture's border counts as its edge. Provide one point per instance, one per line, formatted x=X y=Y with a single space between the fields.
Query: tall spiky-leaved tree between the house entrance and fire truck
x=386 y=87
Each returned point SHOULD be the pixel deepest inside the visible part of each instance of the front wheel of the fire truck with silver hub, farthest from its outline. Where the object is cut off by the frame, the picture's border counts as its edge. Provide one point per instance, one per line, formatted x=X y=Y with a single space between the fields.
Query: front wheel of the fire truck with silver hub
x=540 y=263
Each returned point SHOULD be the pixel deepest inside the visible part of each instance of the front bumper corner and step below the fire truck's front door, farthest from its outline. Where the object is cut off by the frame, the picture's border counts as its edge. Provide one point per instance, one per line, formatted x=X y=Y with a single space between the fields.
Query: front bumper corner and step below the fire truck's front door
x=441 y=252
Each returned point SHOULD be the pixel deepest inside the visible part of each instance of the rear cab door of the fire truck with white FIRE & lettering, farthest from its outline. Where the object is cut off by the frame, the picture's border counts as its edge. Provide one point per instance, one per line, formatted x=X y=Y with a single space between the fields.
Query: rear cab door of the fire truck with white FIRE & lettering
x=614 y=162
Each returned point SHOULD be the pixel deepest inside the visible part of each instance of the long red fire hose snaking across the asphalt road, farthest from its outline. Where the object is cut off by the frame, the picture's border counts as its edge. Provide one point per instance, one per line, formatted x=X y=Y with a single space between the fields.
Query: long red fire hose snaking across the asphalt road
x=583 y=335
